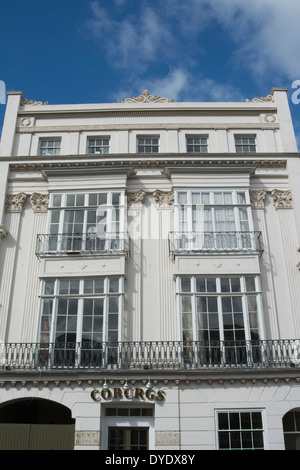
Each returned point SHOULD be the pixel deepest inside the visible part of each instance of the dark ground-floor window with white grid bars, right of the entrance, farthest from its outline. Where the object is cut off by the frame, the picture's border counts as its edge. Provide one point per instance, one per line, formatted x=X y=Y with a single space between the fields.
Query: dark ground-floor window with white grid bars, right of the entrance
x=240 y=430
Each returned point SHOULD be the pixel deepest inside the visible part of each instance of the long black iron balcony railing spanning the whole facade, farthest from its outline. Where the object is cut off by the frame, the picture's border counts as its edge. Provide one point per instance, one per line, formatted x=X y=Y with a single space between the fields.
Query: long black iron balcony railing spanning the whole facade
x=156 y=355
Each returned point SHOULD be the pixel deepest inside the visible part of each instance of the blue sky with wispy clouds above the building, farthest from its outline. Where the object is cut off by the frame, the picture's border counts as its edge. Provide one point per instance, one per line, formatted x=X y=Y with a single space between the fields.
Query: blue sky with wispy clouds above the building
x=78 y=51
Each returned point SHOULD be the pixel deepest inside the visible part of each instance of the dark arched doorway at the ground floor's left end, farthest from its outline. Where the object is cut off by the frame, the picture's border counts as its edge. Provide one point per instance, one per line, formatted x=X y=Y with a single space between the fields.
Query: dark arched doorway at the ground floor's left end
x=36 y=424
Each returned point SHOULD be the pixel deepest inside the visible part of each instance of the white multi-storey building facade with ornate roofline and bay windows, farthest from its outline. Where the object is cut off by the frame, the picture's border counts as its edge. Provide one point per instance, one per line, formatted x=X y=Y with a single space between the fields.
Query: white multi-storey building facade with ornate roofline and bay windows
x=149 y=275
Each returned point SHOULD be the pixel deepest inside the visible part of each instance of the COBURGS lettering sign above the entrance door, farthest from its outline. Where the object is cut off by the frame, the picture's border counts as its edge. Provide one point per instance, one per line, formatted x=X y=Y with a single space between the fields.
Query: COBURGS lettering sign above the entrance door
x=131 y=393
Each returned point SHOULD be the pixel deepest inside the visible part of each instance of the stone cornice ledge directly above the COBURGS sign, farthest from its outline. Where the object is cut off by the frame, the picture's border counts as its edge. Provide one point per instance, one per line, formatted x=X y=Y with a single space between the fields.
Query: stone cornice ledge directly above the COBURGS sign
x=171 y=379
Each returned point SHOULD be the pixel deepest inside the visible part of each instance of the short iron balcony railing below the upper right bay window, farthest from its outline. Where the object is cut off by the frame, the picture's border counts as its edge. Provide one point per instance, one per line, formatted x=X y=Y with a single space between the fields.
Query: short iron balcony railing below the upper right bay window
x=215 y=242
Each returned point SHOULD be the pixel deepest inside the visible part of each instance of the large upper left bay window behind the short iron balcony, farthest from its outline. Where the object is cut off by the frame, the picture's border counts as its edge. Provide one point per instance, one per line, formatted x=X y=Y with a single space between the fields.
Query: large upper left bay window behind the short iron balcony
x=86 y=222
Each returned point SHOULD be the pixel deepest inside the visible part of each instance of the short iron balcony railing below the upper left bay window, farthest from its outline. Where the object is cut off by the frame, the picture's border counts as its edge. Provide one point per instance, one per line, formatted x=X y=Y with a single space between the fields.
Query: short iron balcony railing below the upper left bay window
x=77 y=243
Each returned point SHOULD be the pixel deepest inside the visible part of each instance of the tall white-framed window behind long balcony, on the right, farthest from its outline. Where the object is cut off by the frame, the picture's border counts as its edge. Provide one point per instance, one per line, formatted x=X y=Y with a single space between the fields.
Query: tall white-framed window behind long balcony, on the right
x=221 y=317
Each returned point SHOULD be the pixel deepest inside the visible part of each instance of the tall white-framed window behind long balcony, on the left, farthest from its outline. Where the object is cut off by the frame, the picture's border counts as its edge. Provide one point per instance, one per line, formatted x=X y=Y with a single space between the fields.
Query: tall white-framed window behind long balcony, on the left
x=77 y=317
